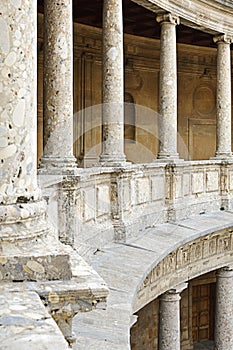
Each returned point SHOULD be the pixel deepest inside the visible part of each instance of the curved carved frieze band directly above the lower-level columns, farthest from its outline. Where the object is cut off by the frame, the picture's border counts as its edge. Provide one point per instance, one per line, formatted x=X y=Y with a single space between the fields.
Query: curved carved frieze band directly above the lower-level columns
x=204 y=254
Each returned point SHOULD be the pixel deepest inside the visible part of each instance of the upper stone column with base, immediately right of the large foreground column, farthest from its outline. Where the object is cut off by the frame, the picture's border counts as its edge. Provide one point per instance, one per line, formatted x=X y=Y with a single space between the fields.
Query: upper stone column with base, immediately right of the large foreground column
x=58 y=86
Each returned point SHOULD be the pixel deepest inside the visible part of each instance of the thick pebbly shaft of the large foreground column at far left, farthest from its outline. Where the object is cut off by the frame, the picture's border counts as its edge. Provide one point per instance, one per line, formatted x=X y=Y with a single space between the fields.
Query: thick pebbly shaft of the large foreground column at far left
x=18 y=106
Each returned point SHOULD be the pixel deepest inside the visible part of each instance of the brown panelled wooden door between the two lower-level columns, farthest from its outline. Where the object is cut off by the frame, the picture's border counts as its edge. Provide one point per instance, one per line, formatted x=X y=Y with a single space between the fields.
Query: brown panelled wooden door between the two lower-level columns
x=203 y=302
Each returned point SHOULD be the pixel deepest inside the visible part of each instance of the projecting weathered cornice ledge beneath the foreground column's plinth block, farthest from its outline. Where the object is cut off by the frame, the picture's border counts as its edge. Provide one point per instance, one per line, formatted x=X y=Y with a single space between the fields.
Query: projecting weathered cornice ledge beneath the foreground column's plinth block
x=85 y=291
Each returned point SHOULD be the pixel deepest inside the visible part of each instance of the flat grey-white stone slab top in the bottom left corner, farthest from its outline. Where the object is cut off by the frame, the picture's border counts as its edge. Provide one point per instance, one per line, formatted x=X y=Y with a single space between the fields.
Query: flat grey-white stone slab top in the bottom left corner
x=25 y=324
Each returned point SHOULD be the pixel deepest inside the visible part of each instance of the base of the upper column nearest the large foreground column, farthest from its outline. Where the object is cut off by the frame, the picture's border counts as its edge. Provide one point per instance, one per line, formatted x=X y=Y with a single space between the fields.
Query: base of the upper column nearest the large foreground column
x=58 y=166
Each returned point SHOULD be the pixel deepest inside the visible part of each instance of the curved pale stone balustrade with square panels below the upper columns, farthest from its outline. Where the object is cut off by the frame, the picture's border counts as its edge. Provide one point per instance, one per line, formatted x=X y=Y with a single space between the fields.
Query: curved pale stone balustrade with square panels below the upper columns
x=100 y=205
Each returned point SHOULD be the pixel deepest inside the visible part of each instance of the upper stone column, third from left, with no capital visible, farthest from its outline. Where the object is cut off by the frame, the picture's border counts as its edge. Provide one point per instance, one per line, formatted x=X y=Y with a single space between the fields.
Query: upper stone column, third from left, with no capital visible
x=113 y=85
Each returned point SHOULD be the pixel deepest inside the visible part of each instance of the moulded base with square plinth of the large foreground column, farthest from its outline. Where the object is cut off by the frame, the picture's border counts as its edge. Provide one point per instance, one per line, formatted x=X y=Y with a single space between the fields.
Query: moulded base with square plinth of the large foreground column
x=29 y=250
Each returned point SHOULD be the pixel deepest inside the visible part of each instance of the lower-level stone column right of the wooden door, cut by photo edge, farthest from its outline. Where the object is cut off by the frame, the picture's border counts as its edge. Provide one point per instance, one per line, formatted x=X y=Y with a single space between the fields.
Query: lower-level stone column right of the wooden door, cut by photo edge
x=224 y=309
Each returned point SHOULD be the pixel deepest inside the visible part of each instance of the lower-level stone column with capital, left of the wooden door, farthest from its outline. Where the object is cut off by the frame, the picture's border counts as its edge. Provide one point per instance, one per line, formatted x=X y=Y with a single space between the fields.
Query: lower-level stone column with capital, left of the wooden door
x=169 y=319
